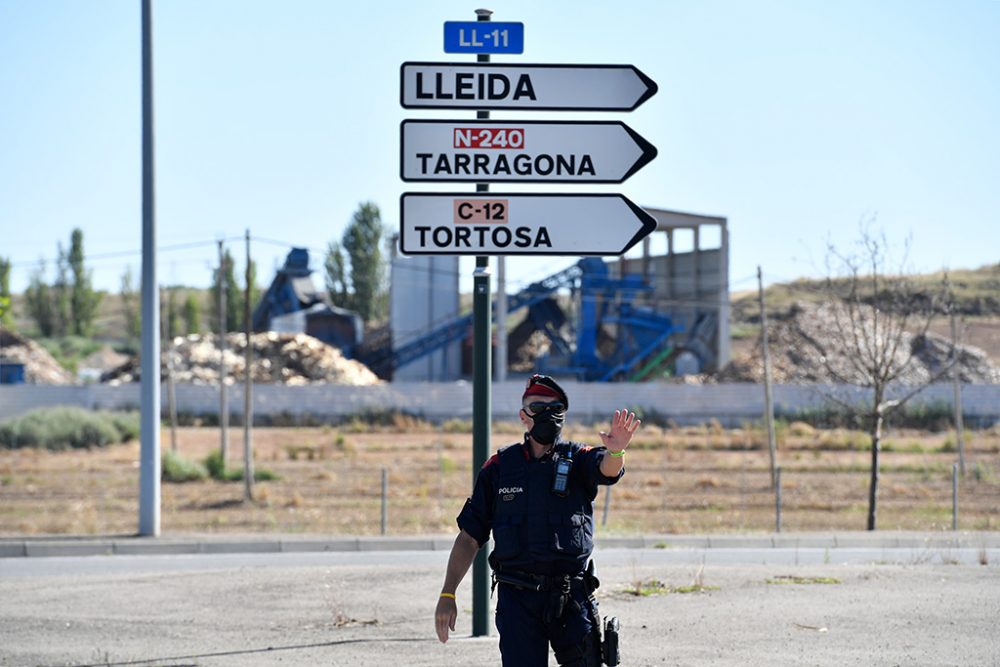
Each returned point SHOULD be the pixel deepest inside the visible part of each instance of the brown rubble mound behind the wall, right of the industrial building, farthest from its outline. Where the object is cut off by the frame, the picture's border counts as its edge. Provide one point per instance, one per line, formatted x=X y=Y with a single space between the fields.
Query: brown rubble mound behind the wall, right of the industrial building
x=805 y=347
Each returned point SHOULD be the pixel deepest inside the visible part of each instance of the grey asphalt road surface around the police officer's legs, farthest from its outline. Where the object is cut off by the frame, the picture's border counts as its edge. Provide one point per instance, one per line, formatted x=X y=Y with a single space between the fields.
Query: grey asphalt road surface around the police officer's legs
x=878 y=606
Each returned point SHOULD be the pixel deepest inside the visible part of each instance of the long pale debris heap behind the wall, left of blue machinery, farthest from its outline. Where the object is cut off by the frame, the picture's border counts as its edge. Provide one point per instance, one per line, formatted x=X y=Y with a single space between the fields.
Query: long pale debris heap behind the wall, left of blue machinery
x=290 y=359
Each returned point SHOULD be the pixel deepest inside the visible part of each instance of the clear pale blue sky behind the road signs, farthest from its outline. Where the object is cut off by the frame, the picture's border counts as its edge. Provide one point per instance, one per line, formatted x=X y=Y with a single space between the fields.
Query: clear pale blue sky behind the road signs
x=794 y=120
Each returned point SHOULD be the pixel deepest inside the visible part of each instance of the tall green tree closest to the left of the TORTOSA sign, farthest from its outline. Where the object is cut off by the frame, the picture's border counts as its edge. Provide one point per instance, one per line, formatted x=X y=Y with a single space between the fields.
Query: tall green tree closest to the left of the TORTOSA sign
x=363 y=243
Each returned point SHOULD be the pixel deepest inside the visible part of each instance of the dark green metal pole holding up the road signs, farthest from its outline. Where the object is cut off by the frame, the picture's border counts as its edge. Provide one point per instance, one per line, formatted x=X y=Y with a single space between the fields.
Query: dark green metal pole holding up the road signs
x=481 y=399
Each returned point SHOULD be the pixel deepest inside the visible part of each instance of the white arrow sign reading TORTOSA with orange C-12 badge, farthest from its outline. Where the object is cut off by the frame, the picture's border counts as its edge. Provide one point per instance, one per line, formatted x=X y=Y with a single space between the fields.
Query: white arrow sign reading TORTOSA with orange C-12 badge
x=463 y=223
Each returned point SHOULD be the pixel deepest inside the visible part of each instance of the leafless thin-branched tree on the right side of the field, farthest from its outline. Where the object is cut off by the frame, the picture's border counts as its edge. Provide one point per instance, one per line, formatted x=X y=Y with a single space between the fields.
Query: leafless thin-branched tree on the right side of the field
x=880 y=319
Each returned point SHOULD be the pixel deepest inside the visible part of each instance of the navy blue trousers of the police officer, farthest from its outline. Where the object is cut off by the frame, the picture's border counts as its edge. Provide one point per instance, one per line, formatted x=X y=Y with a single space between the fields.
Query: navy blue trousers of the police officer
x=525 y=637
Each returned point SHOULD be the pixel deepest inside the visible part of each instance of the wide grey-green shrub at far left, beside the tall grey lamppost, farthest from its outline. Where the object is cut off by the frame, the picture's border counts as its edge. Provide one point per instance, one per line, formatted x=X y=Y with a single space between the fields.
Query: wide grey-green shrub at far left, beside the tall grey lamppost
x=66 y=427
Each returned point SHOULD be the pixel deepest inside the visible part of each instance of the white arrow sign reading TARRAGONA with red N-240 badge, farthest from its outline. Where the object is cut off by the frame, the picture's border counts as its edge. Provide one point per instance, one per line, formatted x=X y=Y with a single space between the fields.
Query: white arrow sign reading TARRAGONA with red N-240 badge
x=522 y=151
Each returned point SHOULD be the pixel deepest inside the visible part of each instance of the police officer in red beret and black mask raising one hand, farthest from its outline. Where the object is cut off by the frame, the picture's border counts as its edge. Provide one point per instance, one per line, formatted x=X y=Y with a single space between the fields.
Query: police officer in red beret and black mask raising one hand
x=537 y=497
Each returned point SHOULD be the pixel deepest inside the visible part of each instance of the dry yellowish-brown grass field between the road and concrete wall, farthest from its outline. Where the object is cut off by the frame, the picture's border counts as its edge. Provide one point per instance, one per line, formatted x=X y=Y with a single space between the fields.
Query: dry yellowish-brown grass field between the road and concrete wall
x=679 y=480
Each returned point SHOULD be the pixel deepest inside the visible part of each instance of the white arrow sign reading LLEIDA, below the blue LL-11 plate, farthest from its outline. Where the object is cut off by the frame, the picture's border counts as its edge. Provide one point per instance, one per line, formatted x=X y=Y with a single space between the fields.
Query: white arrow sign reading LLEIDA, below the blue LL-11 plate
x=426 y=85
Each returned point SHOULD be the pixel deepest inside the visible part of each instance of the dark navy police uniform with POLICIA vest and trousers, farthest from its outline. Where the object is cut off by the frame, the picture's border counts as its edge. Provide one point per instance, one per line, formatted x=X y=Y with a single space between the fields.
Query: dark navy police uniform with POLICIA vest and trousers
x=542 y=545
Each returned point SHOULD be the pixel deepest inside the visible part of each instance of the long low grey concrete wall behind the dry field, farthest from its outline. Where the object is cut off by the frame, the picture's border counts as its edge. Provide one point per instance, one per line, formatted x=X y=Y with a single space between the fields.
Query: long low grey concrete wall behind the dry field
x=730 y=404
